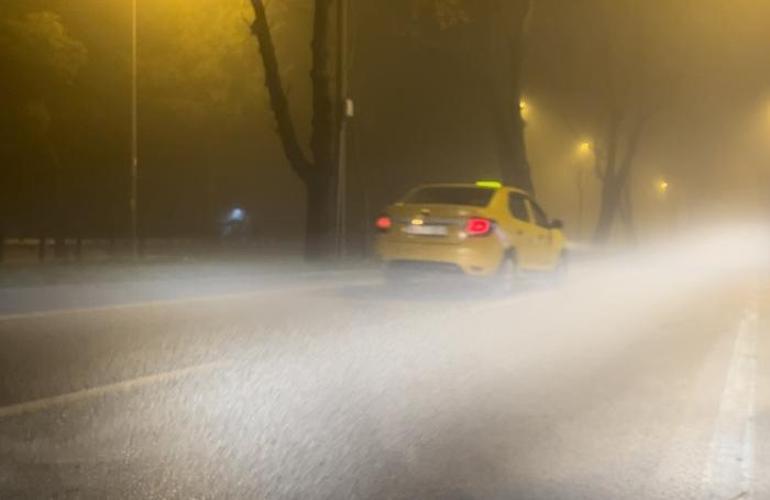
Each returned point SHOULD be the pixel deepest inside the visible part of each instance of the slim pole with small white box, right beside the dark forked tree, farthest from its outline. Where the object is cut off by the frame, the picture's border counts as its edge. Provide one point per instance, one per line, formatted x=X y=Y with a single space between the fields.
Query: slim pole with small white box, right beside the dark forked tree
x=345 y=111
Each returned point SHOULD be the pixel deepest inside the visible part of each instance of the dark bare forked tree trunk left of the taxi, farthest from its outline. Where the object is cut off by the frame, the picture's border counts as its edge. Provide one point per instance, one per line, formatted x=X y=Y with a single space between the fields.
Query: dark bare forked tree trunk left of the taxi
x=318 y=175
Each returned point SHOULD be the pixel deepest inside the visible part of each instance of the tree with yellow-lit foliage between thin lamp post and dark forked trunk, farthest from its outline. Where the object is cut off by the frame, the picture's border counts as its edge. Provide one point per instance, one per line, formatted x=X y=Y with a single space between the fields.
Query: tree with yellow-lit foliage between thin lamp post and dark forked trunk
x=195 y=72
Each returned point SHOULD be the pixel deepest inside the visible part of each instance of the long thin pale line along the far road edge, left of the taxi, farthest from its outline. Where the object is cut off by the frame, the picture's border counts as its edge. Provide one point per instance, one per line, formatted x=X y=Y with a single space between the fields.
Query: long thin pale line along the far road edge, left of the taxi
x=184 y=300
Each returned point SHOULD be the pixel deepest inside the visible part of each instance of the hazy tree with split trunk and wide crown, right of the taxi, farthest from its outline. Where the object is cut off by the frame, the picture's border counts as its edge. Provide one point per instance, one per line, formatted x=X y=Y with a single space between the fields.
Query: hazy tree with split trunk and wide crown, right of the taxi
x=611 y=66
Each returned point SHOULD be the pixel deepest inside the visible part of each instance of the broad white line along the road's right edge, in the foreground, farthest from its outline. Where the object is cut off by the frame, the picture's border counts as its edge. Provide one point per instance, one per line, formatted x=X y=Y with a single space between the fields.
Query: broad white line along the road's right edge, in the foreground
x=729 y=471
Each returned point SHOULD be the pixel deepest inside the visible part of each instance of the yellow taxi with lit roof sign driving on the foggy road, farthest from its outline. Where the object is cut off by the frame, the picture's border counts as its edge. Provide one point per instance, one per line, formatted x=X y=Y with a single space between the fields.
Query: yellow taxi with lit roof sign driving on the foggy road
x=481 y=229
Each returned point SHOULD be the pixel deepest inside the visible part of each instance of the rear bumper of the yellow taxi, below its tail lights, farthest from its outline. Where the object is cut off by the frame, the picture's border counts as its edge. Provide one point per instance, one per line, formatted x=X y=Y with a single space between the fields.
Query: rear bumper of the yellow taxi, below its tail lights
x=478 y=257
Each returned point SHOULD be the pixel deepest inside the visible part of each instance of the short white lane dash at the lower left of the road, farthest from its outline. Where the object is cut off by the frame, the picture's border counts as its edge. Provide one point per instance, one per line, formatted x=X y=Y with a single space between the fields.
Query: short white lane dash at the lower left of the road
x=94 y=392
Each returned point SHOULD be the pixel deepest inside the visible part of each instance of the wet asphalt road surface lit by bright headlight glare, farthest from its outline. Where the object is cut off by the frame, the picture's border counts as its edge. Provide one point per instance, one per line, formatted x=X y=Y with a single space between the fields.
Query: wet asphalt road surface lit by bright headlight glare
x=643 y=377
